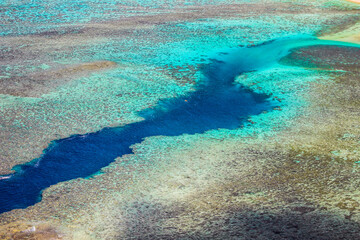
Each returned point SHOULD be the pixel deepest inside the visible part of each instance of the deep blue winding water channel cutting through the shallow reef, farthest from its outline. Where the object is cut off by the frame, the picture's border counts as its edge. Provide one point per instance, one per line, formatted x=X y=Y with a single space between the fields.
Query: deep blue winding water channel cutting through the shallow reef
x=216 y=103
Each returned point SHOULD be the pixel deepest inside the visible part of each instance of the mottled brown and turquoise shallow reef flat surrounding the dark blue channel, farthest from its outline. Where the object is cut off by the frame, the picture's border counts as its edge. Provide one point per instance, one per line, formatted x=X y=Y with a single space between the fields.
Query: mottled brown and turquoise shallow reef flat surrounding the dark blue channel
x=287 y=173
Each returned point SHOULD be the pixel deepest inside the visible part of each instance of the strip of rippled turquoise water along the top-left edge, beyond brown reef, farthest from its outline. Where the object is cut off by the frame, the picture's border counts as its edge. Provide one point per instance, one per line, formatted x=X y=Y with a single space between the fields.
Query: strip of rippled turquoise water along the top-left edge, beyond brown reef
x=19 y=17
